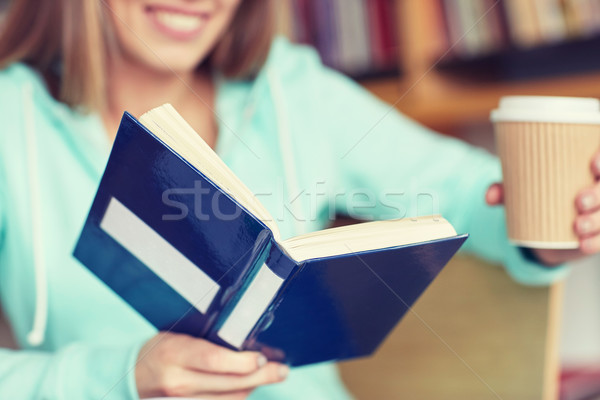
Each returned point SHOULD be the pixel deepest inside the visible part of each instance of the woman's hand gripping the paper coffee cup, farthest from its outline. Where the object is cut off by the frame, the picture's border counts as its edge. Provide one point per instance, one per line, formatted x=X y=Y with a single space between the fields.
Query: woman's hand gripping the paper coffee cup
x=586 y=225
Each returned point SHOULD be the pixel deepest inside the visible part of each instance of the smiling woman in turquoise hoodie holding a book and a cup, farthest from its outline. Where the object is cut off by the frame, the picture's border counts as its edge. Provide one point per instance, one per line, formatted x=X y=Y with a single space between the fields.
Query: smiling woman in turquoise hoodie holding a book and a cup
x=278 y=118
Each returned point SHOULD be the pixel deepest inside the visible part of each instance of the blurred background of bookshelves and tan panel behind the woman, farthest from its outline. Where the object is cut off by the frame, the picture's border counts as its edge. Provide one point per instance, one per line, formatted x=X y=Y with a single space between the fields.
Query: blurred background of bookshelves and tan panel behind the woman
x=446 y=63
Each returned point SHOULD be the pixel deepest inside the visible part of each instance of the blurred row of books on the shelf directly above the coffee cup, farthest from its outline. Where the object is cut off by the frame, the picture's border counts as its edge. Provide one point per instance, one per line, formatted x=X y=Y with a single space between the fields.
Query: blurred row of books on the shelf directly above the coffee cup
x=479 y=27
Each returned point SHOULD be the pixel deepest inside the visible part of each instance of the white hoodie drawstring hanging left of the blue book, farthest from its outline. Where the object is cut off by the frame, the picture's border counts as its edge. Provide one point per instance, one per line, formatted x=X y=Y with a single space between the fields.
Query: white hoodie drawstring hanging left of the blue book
x=38 y=330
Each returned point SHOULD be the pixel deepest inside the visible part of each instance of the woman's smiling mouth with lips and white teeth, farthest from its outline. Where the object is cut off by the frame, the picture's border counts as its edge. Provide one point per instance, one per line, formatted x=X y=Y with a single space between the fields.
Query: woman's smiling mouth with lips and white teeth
x=177 y=24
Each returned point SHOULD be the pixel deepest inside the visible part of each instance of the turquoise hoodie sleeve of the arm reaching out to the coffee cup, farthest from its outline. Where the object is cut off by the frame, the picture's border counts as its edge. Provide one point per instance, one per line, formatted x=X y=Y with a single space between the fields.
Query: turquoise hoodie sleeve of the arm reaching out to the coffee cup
x=406 y=168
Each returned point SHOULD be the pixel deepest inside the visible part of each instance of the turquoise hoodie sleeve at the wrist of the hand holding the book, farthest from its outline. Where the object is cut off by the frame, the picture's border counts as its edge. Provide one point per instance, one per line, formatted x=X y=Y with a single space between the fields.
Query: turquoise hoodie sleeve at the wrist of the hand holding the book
x=77 y=371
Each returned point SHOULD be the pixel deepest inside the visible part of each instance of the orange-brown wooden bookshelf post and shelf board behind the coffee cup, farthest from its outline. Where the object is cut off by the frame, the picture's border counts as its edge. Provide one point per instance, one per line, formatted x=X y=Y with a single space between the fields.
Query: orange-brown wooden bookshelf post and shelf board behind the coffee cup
x=441 y=100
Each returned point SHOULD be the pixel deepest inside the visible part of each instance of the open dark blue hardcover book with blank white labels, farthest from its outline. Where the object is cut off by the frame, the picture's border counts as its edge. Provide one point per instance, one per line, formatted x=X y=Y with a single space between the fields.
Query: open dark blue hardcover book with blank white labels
x=178 y=236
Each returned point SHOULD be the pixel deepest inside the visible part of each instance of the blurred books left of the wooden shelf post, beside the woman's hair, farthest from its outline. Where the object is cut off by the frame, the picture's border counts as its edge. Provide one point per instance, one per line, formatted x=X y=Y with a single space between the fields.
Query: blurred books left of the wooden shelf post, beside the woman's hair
x=357 y=37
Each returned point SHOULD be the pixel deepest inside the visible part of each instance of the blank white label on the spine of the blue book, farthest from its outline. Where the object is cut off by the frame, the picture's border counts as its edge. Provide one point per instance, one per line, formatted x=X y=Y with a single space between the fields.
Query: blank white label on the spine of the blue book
x=250 y=307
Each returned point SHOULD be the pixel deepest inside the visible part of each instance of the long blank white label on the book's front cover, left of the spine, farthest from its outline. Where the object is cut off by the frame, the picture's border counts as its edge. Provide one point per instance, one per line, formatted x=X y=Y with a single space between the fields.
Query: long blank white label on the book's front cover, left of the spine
x=175 y=269
